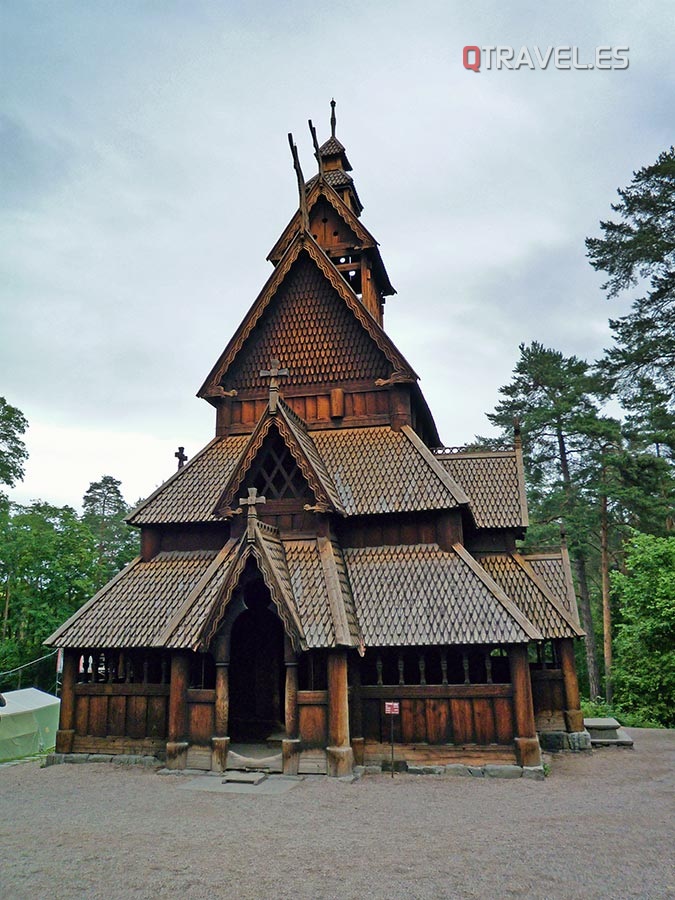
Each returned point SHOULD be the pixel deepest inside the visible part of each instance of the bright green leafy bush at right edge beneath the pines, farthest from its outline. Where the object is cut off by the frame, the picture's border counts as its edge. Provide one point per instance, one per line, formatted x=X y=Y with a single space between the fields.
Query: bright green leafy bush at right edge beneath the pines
x=644 y=669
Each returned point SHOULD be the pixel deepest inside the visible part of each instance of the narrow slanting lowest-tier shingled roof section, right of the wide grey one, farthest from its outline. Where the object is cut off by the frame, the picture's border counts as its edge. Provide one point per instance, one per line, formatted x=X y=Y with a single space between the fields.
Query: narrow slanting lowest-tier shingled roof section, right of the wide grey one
x=530 y=593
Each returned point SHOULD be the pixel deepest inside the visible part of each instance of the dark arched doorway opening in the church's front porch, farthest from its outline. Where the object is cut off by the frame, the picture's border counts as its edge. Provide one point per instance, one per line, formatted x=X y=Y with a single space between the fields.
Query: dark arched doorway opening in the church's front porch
x=257 y=675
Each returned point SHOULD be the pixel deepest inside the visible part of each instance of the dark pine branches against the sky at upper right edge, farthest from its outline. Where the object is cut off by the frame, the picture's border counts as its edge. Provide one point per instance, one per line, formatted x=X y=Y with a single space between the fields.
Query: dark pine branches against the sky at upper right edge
x=641 y=245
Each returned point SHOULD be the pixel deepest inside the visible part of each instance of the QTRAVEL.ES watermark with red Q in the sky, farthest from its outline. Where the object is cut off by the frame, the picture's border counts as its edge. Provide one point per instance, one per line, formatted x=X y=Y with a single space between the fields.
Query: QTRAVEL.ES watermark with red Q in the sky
x=565 y=57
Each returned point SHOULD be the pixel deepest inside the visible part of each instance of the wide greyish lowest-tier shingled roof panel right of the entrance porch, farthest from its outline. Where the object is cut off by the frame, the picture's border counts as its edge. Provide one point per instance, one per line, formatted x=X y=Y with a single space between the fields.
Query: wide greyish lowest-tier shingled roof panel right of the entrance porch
x=422 y=595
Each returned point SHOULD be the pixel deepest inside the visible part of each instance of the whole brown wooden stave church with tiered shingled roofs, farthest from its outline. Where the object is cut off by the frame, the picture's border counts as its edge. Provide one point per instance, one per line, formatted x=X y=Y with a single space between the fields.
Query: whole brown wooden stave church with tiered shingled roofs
x=324 y=554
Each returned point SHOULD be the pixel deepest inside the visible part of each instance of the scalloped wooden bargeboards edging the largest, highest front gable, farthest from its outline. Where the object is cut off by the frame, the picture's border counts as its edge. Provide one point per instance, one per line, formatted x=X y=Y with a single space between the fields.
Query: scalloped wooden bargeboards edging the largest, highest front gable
x=304 y=245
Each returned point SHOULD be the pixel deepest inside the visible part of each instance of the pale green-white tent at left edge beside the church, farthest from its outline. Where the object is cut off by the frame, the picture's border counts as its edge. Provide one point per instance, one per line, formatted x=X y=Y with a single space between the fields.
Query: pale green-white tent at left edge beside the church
x=28 y=723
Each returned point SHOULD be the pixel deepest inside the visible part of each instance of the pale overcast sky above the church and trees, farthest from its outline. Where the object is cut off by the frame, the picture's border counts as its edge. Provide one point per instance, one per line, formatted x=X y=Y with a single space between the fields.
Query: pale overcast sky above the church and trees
x=146 y=175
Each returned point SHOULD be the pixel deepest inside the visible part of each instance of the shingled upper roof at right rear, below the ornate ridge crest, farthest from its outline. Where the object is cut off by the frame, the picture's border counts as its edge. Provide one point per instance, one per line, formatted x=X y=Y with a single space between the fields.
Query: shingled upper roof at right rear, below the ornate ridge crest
x=494 y=483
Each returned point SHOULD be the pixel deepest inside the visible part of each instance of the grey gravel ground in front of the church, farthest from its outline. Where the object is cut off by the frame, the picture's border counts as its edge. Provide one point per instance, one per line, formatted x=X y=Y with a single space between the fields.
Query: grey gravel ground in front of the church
x=601 y=825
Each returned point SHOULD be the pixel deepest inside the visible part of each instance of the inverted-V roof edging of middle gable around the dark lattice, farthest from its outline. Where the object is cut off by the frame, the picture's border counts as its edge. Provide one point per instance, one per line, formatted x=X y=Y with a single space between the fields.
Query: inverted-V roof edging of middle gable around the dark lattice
x=294 y=434
